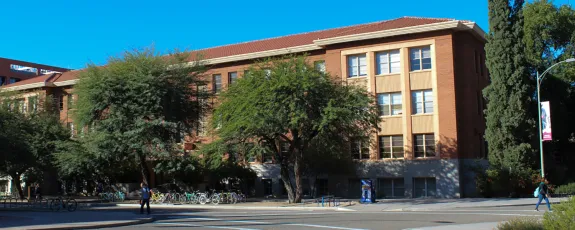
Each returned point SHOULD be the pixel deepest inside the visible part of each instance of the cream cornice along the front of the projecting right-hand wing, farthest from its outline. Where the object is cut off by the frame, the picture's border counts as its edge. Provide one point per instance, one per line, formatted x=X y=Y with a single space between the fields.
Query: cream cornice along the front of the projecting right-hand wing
x=388 y=33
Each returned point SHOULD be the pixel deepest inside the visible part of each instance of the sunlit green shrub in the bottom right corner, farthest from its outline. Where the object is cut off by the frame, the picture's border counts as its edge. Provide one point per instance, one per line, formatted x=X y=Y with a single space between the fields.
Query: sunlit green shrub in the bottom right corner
x=562 y=217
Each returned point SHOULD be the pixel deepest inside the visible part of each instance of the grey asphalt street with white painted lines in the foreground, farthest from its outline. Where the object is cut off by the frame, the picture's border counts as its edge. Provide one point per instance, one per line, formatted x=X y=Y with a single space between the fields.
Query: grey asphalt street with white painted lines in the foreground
x=257 y=219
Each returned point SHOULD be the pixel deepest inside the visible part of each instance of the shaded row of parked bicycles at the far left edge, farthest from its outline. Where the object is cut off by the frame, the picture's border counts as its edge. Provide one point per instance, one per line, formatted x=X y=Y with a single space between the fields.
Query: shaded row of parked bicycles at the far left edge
x=54 y=204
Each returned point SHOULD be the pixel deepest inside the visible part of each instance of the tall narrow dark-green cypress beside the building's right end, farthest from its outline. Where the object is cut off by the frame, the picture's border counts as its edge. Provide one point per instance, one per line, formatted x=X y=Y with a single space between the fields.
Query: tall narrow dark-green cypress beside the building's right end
x=510 y=126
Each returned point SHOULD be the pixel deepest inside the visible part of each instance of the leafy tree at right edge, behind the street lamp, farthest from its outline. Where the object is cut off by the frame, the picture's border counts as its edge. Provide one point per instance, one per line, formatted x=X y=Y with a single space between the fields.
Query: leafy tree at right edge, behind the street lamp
x=550 y=38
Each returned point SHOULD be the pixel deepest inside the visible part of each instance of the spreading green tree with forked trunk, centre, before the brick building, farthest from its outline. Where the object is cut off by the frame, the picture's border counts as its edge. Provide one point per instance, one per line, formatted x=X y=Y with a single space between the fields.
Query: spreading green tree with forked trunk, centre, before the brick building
x=288 y=101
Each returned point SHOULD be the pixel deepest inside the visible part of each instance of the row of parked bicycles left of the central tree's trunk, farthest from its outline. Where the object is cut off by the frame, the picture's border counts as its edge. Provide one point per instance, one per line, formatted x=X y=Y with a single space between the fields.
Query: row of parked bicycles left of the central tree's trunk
x=197 y=197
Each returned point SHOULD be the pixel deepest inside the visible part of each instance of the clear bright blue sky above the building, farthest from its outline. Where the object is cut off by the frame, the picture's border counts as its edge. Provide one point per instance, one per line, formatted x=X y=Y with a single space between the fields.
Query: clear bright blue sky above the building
x=71 y=33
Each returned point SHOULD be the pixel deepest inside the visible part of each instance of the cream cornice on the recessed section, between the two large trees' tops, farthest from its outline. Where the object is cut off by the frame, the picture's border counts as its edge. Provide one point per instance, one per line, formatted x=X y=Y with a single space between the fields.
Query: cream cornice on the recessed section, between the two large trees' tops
x=267 y=53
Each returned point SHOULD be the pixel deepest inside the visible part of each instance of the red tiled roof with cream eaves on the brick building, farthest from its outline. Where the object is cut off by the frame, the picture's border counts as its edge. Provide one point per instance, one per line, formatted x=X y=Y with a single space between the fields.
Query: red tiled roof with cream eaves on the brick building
x=290 y=43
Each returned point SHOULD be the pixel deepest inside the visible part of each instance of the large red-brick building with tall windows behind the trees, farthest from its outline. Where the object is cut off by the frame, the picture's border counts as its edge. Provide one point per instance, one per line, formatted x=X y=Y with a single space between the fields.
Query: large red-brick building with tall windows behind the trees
x=427 y=75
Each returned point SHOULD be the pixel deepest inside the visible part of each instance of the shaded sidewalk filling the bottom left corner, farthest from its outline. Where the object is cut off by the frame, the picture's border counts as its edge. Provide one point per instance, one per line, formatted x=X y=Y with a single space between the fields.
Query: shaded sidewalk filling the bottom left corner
x=69 y=220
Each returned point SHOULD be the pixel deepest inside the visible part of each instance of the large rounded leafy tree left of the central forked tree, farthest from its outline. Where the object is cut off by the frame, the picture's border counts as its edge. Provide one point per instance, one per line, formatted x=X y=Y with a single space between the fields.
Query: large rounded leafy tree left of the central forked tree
x=140 y=104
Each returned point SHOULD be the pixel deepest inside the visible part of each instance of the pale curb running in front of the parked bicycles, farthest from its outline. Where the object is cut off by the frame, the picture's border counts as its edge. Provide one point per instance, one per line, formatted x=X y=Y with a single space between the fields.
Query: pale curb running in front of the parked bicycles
x=244 y=208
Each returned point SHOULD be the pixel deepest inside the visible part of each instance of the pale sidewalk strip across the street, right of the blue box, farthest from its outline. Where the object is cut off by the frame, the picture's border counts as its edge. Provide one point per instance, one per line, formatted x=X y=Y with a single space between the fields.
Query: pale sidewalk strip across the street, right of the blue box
x=439 y=204
